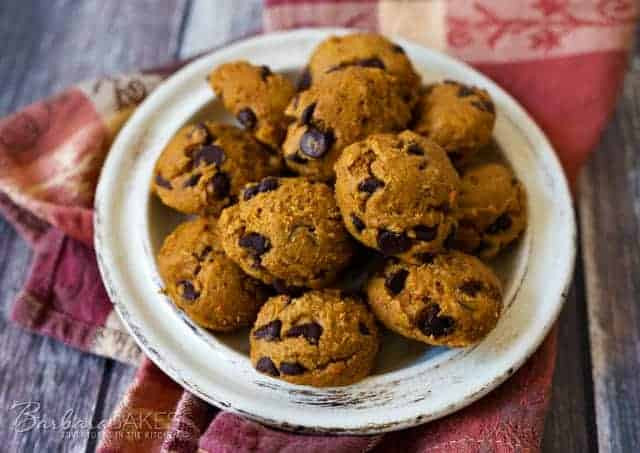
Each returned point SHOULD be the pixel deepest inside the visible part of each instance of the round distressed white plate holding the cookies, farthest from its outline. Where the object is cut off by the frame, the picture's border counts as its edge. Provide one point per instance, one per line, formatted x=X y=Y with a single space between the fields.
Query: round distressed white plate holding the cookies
x=412 y=384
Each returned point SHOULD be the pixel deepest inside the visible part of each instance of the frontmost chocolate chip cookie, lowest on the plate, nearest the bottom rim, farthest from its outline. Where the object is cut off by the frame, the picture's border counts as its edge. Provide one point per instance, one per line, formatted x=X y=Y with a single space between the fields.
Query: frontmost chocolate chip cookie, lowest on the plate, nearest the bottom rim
x=321 y=338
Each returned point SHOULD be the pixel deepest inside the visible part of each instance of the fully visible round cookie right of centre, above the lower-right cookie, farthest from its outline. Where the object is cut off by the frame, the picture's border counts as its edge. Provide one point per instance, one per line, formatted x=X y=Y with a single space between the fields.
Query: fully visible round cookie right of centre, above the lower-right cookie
x=397 y=194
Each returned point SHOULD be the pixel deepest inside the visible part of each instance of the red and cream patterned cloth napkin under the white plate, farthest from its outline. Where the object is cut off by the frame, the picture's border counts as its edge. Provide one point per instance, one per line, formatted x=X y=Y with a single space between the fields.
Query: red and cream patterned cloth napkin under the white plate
x=563 y=60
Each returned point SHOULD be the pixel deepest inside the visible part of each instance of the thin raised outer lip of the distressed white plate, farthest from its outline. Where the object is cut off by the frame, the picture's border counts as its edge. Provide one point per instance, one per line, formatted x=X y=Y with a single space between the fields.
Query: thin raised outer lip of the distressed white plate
x=133 y=326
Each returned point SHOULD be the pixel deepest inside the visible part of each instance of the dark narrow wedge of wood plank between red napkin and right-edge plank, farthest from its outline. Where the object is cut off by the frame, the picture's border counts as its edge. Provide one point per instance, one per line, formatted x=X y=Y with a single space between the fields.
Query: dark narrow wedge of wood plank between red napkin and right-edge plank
x=570 y=423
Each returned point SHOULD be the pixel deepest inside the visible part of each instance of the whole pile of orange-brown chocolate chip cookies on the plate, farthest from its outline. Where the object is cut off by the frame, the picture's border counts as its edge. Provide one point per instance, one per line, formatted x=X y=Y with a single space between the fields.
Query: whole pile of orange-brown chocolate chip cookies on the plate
x=359 y=158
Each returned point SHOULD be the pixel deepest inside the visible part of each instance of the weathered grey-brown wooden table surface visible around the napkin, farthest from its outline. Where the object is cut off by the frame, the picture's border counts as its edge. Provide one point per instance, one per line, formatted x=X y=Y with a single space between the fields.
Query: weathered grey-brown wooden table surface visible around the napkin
x=49 y=44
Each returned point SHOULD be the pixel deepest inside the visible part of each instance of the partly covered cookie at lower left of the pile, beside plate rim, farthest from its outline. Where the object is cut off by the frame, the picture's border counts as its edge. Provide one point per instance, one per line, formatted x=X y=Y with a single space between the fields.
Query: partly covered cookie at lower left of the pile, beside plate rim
x=210 y=288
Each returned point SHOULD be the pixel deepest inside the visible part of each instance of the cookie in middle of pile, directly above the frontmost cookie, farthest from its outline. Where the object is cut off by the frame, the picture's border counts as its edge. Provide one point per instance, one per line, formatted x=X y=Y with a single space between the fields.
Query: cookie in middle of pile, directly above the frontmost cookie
x=287 y=232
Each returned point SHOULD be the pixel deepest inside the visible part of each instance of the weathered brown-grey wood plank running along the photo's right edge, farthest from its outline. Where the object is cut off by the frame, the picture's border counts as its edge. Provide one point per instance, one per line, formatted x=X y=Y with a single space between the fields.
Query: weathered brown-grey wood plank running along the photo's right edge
x=610 y=223
